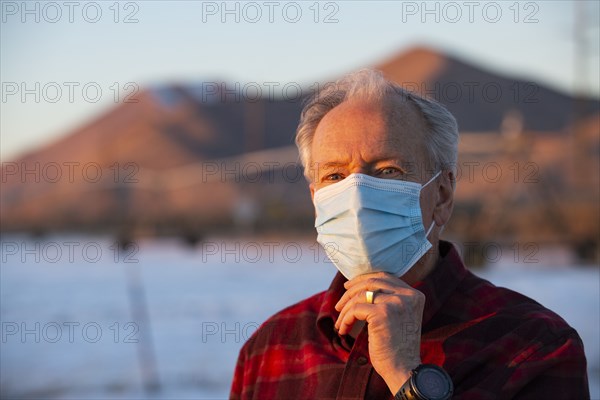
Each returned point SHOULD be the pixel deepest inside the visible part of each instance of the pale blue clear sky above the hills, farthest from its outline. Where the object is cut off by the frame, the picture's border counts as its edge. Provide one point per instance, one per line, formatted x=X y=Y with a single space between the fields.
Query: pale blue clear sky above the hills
x=46 y=63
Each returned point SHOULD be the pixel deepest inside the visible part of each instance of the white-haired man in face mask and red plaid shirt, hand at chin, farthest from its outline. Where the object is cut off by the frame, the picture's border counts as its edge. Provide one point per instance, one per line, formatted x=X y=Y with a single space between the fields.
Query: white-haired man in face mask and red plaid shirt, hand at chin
x=403 y=318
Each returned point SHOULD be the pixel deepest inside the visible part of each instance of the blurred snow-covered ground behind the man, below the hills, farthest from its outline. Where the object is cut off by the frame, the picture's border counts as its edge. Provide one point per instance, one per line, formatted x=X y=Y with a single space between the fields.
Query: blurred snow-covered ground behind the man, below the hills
x=73 y=321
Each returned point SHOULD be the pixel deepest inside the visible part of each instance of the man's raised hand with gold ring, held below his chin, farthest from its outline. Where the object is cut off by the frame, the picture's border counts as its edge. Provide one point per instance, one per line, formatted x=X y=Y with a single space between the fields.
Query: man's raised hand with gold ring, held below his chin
x=394 y=323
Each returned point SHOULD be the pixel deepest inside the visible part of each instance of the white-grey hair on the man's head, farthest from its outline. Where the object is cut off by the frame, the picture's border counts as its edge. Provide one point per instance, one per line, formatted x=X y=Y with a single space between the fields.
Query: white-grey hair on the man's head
x=441 y=136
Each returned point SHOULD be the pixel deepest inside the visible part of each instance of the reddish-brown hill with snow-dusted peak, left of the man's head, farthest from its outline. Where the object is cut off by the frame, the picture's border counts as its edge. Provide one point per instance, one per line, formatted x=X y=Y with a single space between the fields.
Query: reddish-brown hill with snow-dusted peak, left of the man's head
x=121 y=167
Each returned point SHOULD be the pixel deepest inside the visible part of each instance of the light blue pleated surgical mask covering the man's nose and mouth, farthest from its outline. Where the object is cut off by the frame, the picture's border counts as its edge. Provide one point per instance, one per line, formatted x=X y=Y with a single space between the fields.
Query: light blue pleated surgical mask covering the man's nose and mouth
x=368 y=224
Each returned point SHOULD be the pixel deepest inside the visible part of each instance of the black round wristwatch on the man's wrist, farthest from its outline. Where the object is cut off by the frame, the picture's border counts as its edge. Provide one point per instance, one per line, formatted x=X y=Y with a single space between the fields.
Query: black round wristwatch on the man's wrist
x=426 y=382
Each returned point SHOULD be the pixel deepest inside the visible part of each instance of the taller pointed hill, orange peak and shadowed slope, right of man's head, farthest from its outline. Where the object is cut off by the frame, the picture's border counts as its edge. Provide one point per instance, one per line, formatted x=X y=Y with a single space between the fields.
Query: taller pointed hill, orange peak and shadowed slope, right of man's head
x=480 y=99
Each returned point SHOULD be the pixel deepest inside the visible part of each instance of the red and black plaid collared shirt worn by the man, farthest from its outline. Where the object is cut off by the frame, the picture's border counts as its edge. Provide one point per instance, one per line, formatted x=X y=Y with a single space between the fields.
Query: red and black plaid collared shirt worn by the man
x=494 y=343
